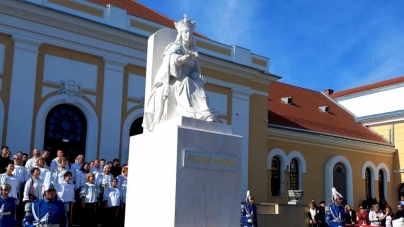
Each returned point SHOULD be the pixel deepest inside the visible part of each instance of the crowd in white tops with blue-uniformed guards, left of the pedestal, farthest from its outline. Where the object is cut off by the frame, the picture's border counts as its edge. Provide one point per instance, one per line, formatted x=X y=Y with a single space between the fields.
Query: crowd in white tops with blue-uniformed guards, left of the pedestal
x=80 y=193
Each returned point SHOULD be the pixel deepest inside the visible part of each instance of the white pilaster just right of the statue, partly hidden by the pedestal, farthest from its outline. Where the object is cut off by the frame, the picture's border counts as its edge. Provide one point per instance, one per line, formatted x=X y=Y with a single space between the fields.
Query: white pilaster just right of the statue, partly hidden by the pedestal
x=240 y=121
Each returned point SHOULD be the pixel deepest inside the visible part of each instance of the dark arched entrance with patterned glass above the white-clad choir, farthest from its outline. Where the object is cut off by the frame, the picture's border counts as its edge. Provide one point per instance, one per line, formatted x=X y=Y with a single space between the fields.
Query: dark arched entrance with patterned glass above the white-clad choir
x=65 y=129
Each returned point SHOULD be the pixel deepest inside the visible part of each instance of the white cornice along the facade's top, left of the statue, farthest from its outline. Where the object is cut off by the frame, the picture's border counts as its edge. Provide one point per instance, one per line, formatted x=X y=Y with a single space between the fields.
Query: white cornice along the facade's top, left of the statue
x=92 y=29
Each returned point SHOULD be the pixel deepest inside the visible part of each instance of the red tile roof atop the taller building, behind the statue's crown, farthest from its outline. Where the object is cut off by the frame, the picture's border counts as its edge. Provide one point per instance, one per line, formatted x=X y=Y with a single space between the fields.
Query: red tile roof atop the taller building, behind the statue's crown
x=138 y=10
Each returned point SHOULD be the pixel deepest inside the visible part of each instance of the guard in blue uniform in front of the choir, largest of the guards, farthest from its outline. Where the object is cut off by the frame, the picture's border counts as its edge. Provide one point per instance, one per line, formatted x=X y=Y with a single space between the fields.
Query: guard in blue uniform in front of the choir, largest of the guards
x=48 y=211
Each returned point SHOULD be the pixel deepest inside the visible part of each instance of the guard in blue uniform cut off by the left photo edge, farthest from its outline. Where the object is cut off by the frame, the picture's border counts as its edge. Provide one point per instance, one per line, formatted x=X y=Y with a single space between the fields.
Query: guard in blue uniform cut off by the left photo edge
x=7 y=207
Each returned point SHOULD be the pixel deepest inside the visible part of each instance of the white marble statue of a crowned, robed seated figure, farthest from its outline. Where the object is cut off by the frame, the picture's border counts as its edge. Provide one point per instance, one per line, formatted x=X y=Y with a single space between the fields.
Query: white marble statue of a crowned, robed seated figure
x=179 y=76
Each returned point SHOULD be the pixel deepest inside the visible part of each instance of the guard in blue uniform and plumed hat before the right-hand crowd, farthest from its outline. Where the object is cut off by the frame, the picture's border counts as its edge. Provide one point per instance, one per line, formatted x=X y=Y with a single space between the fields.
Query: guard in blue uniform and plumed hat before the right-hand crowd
x=334 y=212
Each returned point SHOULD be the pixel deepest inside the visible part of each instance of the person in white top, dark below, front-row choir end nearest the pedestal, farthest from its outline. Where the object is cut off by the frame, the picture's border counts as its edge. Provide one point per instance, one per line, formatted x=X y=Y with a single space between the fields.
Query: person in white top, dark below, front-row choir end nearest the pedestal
x=112 y=201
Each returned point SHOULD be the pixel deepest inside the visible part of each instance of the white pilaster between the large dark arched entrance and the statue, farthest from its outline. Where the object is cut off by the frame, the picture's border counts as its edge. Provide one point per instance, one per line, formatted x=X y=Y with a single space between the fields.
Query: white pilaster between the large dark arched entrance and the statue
x=111 y=109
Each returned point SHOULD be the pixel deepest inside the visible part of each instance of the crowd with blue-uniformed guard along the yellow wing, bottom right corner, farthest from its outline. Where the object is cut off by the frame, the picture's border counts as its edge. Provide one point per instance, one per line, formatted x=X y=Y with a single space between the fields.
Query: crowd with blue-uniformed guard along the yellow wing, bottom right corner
x=369 y=213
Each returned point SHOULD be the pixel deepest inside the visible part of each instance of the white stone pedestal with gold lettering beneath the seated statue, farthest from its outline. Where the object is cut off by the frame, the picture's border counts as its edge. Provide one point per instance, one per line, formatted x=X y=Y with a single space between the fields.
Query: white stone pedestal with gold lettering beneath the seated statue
x=185 y=173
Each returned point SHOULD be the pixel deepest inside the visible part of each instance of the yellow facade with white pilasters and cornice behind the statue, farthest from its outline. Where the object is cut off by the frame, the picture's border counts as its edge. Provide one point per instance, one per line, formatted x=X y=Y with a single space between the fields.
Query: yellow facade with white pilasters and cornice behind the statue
x=72 y=77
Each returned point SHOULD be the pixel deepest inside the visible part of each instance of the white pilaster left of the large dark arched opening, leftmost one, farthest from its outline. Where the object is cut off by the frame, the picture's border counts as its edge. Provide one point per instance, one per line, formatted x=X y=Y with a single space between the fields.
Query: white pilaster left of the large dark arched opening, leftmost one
x=22 y=93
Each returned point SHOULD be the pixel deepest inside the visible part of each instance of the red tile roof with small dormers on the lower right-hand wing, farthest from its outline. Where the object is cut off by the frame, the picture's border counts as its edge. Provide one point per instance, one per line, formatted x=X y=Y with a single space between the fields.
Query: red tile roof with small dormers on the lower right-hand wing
x=305 y=114
